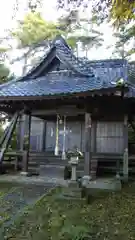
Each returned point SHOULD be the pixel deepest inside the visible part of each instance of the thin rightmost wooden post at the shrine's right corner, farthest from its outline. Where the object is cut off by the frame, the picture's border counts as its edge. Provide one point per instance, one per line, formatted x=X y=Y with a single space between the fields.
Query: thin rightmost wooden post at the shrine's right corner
x=125 y=150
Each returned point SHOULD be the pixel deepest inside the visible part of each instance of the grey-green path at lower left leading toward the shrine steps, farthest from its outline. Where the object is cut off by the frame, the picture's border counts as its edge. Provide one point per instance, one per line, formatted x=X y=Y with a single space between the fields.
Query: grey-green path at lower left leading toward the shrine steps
x=16 y=200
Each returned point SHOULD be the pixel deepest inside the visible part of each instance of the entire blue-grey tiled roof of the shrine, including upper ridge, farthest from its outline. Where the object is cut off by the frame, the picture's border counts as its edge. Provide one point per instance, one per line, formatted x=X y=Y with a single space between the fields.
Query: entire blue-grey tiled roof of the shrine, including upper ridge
x=83 y=75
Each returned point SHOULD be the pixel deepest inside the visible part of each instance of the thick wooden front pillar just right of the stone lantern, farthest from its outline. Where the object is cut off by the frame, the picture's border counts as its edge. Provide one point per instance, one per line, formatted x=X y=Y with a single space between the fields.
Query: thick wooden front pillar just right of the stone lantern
x=87 y=156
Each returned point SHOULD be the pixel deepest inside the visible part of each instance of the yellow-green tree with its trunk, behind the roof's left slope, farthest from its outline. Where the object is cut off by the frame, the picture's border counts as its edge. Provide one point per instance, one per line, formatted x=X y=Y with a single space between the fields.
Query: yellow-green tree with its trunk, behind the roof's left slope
x=34 y=33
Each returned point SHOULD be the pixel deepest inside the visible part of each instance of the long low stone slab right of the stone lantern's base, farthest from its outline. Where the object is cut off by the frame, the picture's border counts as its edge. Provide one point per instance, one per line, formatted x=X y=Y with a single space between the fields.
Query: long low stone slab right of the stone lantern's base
x=105 y=184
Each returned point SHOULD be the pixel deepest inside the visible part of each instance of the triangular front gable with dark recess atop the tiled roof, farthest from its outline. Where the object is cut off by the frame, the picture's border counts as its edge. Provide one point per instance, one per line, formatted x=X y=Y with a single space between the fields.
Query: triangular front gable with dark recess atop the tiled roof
x=60 y=56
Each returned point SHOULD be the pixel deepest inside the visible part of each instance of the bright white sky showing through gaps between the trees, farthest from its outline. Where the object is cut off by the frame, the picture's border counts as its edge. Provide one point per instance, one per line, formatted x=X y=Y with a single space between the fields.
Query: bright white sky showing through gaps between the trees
x=50 y=13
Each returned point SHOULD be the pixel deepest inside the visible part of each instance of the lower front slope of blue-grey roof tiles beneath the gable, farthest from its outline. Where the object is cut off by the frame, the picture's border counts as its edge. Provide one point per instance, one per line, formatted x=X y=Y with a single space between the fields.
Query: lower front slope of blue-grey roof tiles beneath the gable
x=53 y=84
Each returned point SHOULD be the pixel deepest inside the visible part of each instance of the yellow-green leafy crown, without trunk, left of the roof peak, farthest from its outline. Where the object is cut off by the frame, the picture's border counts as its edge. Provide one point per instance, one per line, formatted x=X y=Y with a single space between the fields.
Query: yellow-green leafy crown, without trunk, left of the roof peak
x=34 y=29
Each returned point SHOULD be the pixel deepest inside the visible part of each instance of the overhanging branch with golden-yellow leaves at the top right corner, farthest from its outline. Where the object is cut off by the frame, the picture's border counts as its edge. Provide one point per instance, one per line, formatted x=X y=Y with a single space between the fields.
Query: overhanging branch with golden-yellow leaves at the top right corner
x=116 y=10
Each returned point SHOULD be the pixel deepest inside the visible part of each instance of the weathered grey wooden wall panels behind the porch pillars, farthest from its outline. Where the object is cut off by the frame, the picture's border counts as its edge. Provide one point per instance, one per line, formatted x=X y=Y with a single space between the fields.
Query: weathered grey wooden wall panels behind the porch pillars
x=109 y=136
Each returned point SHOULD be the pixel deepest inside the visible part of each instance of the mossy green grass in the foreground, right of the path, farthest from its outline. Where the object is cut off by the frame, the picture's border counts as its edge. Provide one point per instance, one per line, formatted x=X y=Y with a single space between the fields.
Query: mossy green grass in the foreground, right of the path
x=110 y=216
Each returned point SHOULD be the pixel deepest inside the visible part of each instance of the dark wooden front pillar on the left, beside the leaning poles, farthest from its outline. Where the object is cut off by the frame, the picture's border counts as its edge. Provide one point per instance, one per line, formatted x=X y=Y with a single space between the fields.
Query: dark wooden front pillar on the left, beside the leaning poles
x=26 y=143
